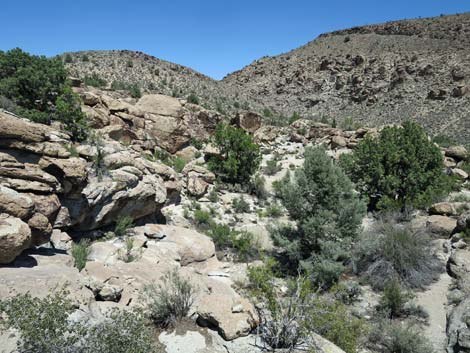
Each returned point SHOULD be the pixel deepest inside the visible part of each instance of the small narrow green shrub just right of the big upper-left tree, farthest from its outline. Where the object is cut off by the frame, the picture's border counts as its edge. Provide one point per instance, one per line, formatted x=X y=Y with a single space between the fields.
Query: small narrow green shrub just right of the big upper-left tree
x=68 y=111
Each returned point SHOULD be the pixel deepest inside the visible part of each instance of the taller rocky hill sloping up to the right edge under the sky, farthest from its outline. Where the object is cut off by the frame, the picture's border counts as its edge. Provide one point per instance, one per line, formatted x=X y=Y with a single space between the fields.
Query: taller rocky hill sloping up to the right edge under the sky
x=376 y=74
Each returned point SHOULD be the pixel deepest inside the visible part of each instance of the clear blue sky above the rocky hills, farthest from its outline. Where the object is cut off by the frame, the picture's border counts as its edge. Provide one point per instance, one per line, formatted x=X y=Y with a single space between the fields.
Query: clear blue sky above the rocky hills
x=213 y=37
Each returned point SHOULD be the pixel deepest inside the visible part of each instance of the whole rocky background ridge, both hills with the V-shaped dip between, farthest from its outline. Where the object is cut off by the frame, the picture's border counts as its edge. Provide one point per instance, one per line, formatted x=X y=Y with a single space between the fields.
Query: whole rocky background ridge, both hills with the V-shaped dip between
x=375 y=74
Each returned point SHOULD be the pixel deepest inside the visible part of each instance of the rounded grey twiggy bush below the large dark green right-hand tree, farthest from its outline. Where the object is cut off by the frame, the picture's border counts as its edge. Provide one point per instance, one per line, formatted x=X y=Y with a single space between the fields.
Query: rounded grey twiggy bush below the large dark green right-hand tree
x=393 y=251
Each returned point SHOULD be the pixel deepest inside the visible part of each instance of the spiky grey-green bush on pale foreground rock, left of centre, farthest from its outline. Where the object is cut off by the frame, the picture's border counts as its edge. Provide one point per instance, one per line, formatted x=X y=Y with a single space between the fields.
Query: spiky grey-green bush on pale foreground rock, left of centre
x=169 y=302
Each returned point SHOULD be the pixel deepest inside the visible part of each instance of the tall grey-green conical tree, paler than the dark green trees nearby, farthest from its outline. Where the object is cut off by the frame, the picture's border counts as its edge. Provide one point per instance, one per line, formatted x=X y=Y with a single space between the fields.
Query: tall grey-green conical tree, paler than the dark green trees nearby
x=328 y=213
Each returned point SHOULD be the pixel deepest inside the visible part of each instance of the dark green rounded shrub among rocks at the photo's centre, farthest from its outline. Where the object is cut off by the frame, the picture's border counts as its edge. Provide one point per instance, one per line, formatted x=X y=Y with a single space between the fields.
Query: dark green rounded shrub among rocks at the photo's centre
x=239 y=156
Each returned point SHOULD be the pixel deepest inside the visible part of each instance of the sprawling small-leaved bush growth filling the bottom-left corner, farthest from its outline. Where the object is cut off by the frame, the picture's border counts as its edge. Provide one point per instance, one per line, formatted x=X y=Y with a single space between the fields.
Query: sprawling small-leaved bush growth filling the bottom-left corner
x=44 y=327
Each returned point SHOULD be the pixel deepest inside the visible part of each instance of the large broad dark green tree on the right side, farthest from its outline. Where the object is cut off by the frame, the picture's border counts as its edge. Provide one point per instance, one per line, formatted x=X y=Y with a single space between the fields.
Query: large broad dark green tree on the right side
x=399 y=169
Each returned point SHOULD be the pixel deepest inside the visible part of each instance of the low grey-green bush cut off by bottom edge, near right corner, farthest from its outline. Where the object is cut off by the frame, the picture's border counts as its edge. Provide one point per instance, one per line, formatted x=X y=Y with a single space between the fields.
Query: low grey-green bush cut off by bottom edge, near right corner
x=392 y=337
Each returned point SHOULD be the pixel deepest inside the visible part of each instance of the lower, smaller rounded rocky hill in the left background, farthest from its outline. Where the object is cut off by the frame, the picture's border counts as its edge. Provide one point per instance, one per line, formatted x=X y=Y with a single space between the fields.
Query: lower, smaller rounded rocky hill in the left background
x=124 y=67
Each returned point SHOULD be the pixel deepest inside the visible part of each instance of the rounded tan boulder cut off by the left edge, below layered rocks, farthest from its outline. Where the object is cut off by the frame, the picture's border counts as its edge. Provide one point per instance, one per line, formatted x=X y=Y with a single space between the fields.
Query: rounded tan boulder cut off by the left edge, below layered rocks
x=15 y=236
